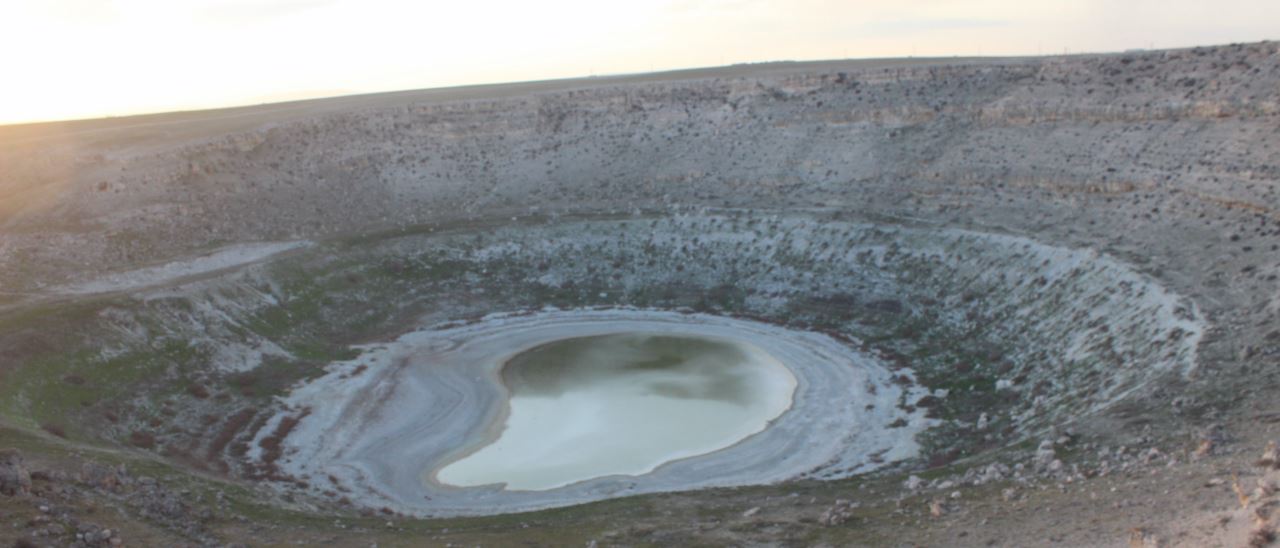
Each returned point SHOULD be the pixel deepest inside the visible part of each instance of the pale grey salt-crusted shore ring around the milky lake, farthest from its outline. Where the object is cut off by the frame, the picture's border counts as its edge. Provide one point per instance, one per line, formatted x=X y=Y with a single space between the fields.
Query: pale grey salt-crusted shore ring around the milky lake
x=386 y=430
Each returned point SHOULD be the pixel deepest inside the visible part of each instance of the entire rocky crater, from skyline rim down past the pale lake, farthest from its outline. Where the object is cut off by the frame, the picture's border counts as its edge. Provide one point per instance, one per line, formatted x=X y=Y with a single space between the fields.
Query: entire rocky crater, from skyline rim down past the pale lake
x=505 y=299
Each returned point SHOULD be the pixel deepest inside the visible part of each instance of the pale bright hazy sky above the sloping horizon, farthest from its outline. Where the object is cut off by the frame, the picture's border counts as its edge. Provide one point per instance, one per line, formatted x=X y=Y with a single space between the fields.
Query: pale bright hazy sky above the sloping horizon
x=68 y=60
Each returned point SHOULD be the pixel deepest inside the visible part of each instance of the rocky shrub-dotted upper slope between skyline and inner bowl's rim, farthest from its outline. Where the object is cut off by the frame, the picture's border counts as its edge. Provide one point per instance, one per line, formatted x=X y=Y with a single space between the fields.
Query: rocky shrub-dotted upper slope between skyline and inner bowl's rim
x=1149 y=139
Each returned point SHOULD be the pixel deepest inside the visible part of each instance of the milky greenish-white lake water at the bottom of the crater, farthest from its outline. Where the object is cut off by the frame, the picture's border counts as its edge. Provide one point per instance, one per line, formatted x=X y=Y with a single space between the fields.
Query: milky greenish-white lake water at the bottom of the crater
x=624 y=404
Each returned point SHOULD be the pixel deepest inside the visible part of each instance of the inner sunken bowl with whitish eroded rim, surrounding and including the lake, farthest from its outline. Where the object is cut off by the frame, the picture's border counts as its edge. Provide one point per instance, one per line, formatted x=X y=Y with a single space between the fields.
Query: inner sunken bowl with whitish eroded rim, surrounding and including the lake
x=525 y=367
